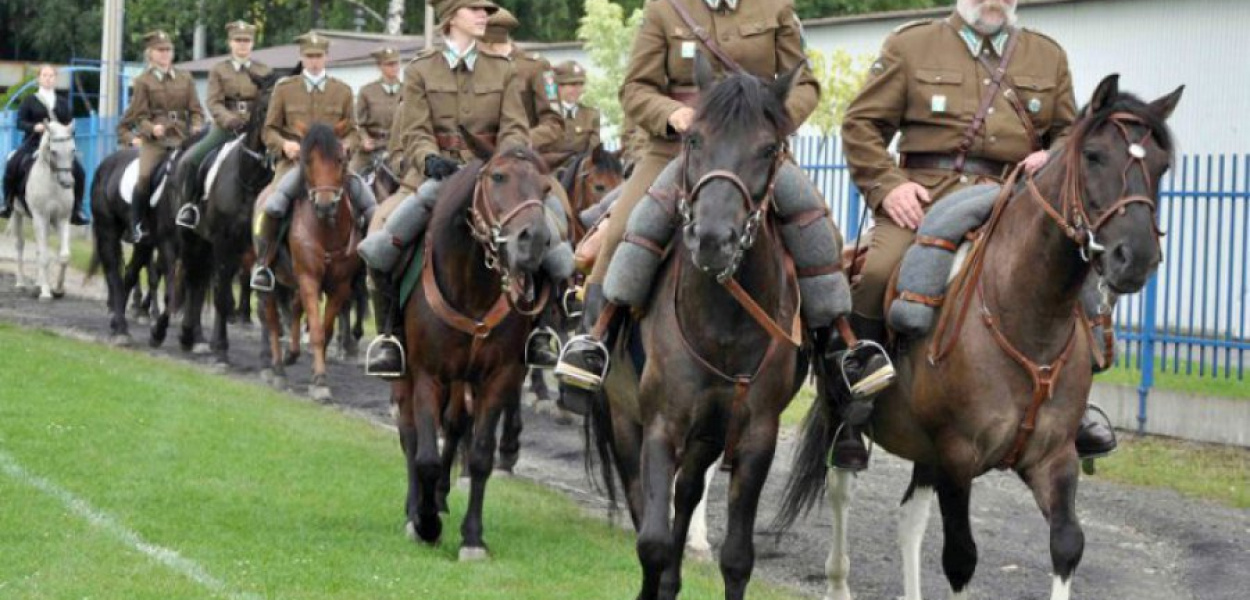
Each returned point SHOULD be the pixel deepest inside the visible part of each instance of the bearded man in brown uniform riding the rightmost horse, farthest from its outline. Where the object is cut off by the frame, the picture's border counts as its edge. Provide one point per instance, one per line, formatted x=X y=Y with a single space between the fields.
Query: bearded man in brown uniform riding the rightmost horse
x=929 y=87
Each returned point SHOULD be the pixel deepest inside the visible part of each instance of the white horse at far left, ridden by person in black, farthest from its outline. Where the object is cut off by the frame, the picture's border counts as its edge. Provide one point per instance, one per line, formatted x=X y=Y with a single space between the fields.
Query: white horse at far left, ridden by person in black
x=51 y=198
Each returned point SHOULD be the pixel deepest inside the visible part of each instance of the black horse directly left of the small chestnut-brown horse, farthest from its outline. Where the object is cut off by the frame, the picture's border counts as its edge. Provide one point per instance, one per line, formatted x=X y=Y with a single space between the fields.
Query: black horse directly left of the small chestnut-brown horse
x=214 y=253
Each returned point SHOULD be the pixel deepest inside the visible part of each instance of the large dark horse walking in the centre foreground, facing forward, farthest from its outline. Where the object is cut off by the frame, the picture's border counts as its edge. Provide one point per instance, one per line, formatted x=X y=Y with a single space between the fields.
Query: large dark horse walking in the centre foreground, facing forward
x=716 y=358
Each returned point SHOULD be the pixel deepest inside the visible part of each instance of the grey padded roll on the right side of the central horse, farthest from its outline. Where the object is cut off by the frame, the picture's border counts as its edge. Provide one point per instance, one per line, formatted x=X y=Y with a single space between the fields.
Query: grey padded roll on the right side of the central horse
x=812 y=238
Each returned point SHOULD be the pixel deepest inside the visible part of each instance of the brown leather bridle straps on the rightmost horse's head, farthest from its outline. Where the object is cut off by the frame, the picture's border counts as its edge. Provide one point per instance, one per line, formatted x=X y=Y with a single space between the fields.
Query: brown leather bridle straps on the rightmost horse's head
x=1076 y=221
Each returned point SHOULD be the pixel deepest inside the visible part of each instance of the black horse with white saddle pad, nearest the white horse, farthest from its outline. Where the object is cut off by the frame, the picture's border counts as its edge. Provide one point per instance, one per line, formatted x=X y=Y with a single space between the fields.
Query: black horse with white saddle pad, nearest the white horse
x=112 y=191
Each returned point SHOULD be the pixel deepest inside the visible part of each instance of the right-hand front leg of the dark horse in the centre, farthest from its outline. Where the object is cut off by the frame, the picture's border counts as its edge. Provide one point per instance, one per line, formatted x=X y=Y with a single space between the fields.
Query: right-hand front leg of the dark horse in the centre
x=752 y=466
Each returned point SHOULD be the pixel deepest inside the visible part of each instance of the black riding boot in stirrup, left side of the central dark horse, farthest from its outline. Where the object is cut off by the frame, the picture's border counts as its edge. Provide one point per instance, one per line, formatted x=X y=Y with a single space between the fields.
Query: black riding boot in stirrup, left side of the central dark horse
x=583 y=364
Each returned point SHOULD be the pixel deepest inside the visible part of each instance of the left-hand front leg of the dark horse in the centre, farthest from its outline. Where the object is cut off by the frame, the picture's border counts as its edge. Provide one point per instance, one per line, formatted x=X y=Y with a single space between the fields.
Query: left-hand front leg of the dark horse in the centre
x=656 y=547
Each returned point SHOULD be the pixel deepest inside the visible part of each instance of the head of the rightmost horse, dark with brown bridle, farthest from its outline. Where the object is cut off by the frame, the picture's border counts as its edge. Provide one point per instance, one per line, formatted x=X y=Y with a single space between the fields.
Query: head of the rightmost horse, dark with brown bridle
x=1122 y=148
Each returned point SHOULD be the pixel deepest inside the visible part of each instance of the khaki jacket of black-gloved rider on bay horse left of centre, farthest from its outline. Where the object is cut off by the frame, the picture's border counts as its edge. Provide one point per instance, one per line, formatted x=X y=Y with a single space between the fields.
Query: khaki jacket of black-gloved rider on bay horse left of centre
x=437 y=102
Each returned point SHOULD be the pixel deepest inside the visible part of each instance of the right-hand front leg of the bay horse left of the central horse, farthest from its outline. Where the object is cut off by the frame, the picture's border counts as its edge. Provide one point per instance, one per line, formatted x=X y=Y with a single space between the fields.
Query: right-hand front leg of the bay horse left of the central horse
x=491 y=398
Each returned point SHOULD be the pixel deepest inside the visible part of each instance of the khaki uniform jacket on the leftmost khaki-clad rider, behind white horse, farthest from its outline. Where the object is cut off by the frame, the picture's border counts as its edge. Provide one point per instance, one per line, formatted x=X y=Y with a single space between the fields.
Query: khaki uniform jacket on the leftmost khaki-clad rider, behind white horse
x=171 y=102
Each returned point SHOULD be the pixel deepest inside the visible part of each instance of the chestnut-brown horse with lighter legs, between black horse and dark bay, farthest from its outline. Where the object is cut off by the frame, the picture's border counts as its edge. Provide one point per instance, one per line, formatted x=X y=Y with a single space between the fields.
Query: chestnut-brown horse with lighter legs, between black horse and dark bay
x=322 y=252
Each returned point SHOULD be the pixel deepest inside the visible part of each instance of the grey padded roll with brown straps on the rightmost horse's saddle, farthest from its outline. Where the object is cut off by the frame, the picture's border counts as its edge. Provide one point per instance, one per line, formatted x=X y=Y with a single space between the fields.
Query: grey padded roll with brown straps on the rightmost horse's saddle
x=927 y=269
